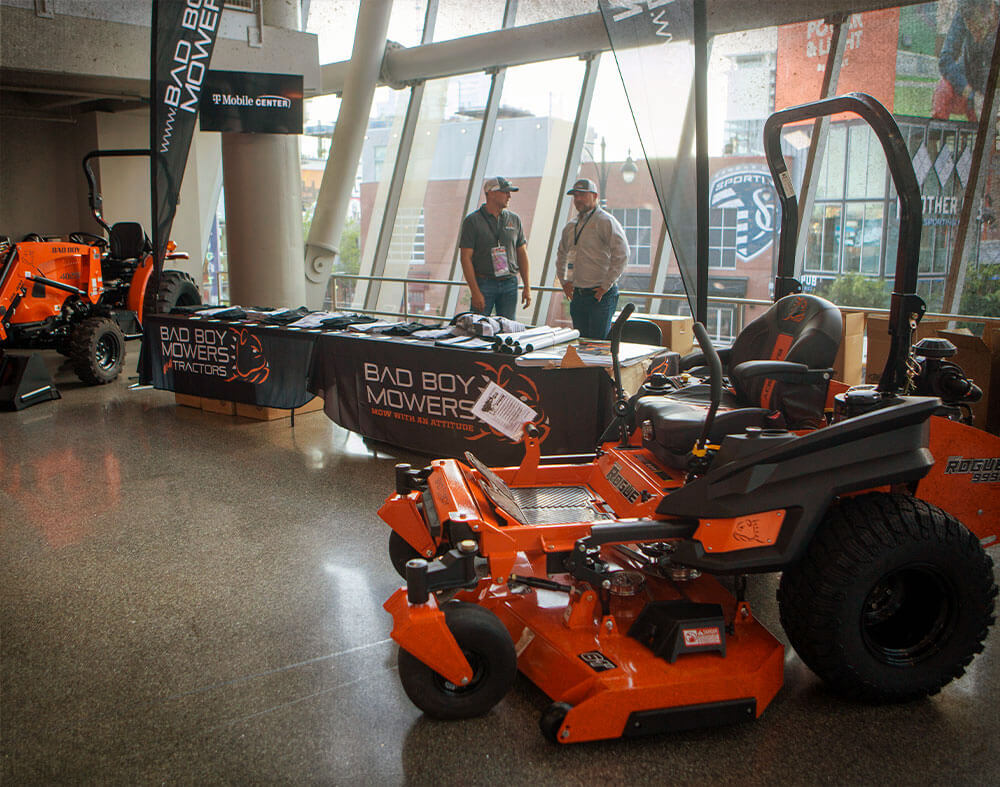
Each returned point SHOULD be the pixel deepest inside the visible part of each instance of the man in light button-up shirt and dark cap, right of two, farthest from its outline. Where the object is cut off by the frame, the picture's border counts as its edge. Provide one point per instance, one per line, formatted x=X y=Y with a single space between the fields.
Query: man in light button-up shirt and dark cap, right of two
x=592 y=254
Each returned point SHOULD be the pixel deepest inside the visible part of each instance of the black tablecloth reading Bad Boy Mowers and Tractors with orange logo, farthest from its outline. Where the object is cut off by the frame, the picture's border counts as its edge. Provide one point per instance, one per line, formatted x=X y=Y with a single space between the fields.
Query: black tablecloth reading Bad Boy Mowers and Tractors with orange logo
x=252 y=364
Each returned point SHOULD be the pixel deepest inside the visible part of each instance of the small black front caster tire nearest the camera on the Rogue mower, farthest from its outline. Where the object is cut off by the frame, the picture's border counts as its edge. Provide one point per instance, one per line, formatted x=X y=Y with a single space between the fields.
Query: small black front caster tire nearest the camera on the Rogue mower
x=490 y=650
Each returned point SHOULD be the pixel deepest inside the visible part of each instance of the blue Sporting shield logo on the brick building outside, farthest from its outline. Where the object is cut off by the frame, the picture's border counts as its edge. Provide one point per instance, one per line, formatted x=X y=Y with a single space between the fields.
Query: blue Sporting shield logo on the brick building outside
x=750 y=192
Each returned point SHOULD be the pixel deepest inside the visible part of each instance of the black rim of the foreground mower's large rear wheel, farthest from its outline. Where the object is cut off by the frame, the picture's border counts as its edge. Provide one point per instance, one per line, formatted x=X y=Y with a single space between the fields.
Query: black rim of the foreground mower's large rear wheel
x=908 y=615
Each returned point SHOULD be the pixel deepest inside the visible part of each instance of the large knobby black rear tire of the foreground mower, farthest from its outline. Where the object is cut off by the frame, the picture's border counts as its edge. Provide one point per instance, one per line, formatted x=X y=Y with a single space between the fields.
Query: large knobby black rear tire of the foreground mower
x=891 y=600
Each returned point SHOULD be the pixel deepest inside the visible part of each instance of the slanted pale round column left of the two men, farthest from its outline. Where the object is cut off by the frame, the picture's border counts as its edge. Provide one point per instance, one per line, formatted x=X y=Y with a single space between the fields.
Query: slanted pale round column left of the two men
x=345 y=151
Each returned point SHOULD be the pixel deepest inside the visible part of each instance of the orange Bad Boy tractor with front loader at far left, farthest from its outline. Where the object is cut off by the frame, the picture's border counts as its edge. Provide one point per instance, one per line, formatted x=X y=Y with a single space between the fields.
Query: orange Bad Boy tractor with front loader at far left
x=84 y=296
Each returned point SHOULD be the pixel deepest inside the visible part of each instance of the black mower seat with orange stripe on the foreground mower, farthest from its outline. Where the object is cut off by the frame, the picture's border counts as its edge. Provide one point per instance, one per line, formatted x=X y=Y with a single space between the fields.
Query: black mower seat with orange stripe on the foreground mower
x=779 y=371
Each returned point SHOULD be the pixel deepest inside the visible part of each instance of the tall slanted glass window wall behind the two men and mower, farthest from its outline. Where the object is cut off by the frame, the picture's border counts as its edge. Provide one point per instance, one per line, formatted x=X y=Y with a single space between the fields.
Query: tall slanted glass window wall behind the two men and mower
x=850 y=229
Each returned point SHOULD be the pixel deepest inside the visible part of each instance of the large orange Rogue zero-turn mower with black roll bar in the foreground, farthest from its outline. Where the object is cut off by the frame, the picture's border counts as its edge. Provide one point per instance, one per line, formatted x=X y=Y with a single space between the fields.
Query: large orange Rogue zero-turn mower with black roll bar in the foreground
x=618 y=586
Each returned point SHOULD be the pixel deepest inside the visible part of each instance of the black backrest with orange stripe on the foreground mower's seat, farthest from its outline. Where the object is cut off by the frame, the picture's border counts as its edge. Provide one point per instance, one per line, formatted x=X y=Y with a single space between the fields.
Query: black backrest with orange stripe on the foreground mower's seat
x=798 y=328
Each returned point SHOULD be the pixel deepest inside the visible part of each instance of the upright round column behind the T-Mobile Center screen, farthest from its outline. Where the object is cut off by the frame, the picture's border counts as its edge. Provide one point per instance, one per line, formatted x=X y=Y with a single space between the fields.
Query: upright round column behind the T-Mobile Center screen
x=263 y=192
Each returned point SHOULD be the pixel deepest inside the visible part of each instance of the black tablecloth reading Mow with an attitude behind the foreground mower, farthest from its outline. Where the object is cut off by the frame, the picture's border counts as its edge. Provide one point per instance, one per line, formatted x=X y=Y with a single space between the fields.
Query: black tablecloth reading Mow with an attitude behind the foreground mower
x=406 y=393
